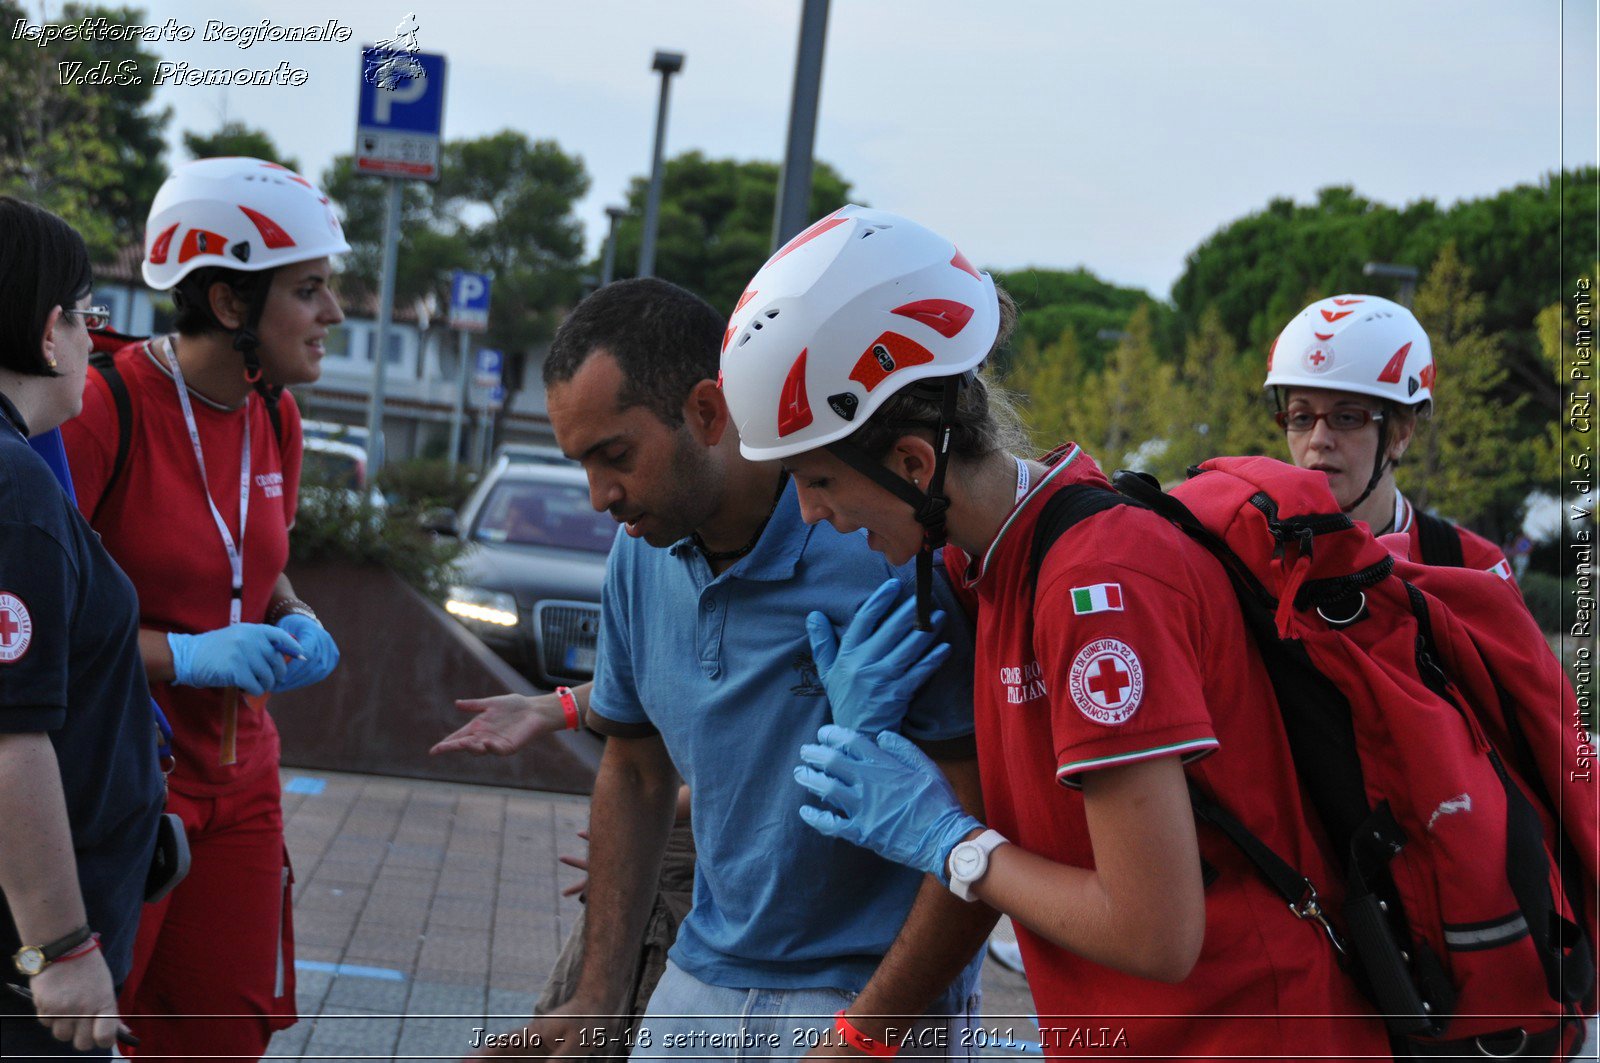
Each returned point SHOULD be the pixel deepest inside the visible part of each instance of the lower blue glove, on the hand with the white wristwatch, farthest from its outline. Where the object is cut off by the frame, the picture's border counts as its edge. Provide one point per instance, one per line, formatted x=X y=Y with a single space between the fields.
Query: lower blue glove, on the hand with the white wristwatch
x=892 y=798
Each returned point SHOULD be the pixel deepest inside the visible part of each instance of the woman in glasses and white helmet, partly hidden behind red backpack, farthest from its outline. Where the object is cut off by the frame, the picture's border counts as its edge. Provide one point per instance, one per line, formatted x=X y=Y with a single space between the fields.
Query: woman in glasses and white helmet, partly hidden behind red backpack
x=1353 y=375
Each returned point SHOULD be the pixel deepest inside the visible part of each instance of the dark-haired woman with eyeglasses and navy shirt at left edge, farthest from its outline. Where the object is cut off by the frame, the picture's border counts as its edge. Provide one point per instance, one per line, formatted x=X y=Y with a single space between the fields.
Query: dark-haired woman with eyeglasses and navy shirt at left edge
x=81 y=787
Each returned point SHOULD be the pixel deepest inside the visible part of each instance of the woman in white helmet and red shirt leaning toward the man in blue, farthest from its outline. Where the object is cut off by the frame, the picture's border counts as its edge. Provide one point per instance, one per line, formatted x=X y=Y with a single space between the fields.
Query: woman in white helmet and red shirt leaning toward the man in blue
x=854 y=359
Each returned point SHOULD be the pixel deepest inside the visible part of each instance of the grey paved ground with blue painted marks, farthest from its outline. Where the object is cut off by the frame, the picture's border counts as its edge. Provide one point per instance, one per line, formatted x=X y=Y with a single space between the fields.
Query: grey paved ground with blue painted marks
x=426 y=910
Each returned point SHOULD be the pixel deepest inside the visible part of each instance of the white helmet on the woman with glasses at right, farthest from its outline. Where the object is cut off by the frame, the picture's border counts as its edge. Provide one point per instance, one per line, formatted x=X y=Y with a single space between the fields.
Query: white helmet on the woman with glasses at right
x=1356 y=343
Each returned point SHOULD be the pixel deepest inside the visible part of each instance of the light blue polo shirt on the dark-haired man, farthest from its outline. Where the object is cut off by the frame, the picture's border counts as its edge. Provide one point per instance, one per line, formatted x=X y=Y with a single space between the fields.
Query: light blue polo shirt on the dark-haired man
x=721 y=668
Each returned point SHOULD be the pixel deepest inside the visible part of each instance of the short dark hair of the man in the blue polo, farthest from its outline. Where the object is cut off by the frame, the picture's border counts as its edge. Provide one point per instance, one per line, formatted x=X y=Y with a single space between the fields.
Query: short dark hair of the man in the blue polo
x=665 y=340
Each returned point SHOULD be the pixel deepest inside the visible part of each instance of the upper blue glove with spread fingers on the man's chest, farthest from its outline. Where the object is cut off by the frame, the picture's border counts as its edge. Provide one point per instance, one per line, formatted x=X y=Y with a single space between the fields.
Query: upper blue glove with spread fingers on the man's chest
x=874 y=672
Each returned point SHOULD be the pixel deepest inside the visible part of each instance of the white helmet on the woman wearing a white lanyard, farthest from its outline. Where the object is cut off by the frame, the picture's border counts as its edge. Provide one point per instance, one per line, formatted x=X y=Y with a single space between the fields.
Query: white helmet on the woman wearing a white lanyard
x=236 y=212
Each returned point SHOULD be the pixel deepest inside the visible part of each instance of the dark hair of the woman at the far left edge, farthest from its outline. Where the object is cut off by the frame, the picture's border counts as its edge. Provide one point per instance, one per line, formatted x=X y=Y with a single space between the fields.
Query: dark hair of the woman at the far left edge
x=44 y=265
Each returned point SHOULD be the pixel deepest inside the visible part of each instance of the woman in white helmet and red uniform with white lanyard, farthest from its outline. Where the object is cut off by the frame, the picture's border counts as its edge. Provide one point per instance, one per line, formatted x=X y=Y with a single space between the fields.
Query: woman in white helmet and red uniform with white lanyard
x=186 y=460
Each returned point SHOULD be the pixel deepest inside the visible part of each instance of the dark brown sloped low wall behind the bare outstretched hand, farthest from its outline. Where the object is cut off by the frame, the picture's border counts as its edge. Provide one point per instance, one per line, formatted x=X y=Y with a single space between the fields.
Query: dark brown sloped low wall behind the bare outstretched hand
x=402 y=665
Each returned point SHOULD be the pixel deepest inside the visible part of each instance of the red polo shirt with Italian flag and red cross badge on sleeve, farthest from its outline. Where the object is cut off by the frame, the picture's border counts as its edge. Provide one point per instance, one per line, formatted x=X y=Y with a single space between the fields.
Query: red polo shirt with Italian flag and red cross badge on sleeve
x=1137 y=651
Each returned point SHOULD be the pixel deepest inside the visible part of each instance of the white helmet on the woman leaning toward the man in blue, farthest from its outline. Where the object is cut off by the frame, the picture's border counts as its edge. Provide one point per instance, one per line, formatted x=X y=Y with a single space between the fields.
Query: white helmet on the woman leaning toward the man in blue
x=844 y=316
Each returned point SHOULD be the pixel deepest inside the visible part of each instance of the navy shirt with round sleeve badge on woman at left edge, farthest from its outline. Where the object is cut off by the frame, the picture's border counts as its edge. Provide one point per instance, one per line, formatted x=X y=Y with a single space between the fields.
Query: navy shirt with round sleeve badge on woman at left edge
x=70 y=667
